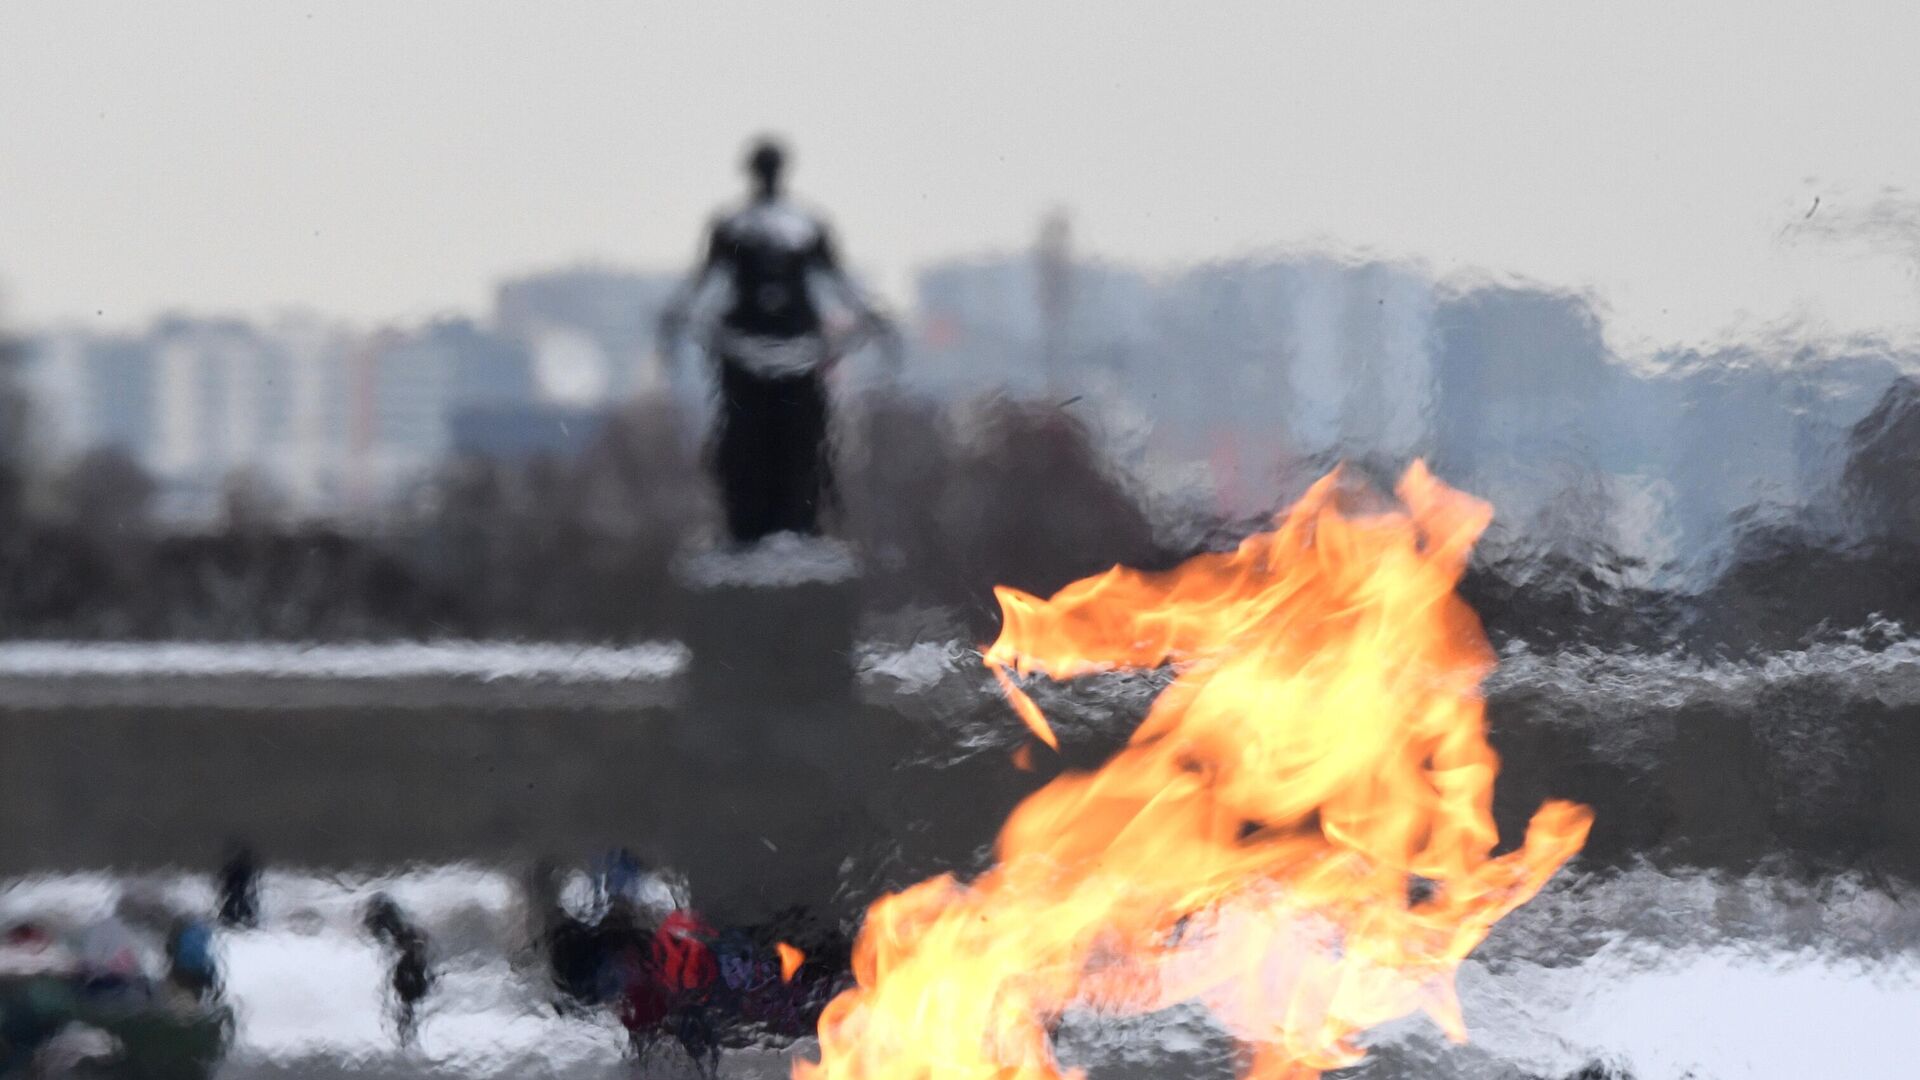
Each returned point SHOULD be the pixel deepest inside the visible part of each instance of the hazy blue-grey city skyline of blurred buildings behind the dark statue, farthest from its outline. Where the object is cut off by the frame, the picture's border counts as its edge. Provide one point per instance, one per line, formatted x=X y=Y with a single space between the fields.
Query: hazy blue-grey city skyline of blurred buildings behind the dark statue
x=1214 y=387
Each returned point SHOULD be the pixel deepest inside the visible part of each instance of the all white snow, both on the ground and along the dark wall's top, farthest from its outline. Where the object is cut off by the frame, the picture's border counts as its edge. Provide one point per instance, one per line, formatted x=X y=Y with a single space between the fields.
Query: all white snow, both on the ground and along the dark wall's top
x=1650 y=973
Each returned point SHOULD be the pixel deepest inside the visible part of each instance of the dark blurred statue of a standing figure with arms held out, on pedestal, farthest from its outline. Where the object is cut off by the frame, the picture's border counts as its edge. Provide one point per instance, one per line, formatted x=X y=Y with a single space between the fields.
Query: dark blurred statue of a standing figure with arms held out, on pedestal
x=773 y=351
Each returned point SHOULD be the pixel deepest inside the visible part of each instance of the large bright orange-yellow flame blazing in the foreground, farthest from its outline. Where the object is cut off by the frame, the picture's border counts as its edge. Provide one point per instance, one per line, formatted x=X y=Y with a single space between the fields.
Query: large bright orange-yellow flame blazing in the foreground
x=1299 y=837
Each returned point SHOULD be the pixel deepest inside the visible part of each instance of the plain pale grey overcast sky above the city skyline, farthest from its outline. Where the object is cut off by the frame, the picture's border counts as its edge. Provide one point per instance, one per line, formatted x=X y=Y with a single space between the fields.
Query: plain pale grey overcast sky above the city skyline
x=395 y=159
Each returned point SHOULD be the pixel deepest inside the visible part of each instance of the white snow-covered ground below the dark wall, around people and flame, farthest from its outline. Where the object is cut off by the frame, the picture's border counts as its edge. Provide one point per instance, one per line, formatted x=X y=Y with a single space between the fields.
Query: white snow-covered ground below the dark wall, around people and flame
x=1662 y=977
